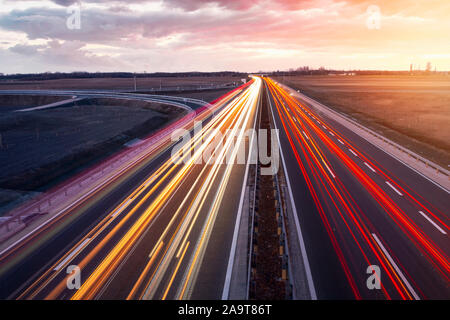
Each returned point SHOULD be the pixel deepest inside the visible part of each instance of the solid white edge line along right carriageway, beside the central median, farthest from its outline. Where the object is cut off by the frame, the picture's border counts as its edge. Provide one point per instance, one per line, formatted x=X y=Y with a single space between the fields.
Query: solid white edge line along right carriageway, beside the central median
x=312 y=289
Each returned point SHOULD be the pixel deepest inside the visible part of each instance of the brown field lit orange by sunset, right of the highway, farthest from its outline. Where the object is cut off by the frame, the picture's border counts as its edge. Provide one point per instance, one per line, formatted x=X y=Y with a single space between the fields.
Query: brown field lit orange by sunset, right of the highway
x=413 y=111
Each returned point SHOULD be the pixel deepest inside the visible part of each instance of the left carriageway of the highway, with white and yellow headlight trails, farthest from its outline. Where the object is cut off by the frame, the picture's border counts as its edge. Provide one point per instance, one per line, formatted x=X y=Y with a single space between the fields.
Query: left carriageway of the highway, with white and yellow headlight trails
x=163 y=232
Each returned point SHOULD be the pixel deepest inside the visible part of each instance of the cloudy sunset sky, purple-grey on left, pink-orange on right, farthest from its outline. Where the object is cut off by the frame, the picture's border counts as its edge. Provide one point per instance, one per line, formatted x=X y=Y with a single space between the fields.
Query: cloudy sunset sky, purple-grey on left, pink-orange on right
x=234 y=35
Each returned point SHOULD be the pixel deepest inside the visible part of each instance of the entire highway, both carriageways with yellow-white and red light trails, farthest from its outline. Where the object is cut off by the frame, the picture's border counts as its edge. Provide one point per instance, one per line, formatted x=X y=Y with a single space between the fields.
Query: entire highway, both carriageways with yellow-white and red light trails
x=165 y=230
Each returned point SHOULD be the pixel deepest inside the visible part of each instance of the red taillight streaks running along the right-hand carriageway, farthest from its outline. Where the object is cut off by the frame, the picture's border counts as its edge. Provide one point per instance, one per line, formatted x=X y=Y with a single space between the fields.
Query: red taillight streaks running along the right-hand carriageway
x=338 y=191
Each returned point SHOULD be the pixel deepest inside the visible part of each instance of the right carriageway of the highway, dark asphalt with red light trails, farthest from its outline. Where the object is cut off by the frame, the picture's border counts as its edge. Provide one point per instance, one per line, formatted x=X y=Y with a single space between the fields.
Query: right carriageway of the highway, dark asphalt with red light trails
x=357 y=206
